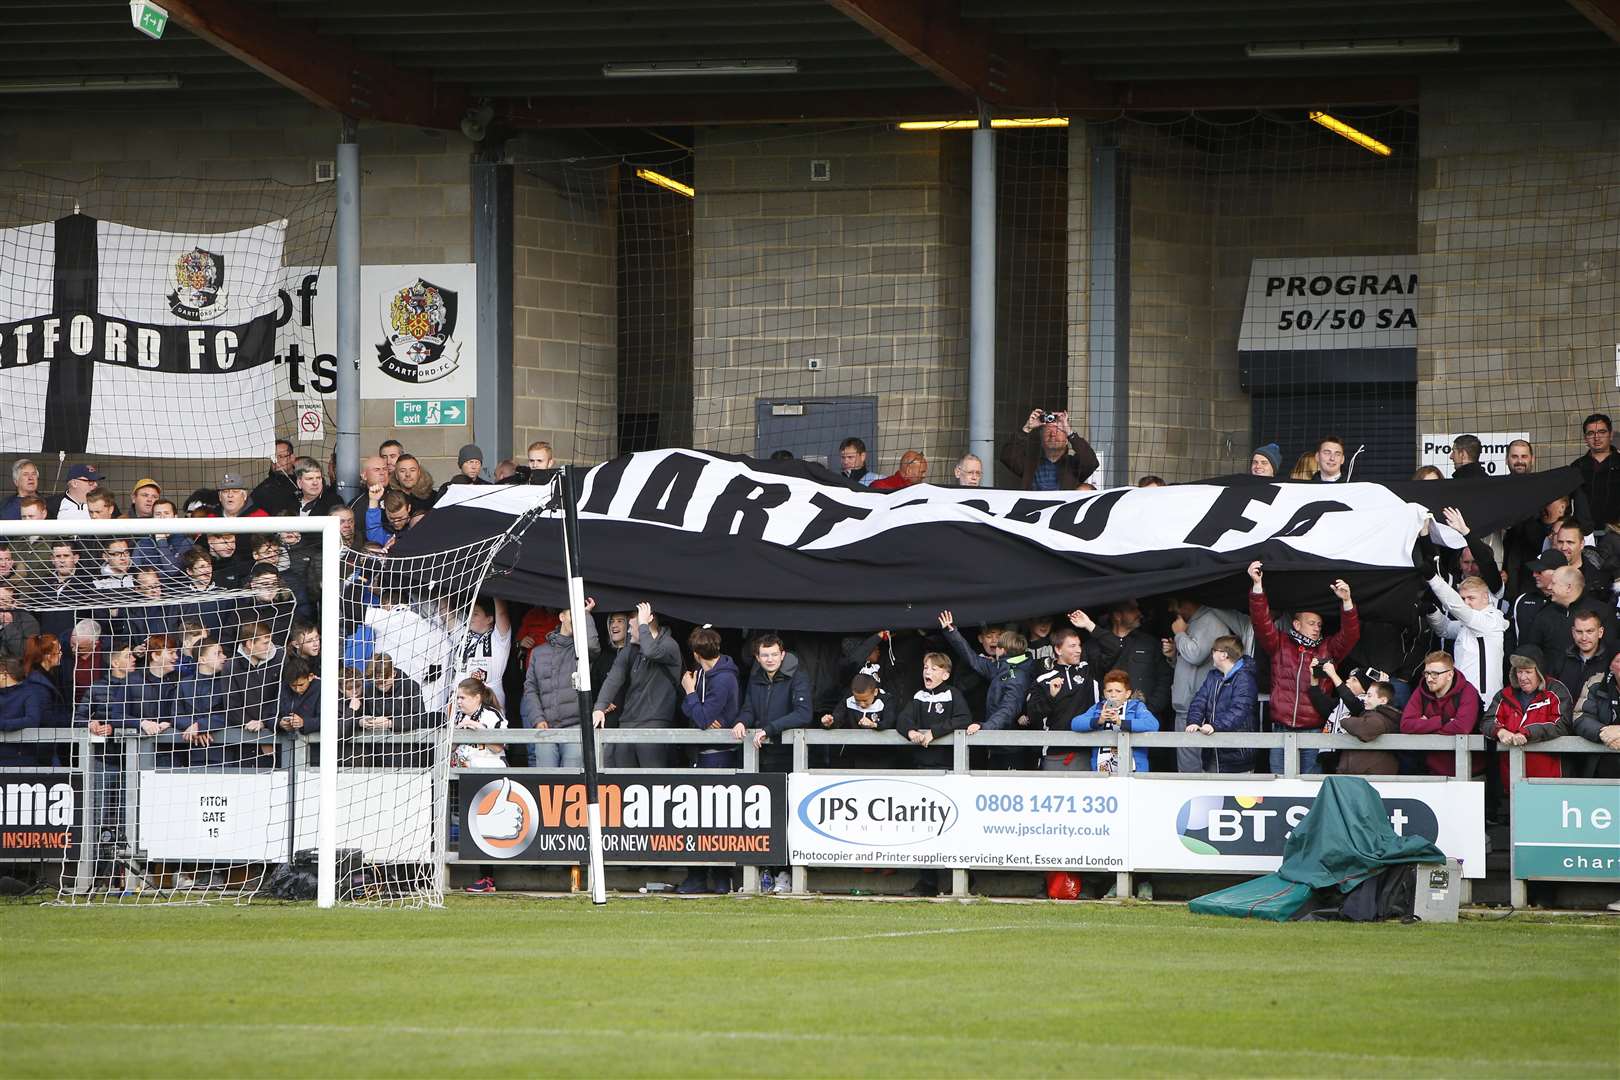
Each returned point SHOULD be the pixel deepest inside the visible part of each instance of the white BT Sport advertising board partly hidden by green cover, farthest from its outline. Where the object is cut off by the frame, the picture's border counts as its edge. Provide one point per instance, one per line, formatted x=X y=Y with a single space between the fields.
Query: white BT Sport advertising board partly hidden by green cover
x=1240 y=827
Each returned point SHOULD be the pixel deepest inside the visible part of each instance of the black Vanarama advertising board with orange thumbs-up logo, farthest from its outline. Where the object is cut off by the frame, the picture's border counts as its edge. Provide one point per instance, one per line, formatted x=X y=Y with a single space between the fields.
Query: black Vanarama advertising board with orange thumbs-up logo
x=647 y=819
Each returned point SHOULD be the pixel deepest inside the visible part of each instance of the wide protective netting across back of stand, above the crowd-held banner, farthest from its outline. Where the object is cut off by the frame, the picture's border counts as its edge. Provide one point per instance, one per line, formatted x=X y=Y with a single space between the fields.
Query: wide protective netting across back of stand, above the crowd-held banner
x=816 y=289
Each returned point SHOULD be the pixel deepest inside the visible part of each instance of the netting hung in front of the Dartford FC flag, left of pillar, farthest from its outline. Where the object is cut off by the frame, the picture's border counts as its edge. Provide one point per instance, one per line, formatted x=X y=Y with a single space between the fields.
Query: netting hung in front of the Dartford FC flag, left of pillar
x=169 y=257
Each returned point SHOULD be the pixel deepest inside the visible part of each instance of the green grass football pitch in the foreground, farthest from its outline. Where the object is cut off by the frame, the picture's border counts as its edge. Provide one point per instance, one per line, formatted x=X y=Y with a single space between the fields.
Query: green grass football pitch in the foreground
x=780 y=987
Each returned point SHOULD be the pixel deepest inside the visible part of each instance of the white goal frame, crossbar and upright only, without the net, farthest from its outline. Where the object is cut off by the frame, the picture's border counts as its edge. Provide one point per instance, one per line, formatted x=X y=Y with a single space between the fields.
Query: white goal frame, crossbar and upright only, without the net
x=331 y=634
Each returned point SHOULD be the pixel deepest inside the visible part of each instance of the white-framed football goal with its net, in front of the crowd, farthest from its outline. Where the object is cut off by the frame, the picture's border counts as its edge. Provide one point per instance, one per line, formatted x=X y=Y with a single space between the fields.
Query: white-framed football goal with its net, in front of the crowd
x=211 y=687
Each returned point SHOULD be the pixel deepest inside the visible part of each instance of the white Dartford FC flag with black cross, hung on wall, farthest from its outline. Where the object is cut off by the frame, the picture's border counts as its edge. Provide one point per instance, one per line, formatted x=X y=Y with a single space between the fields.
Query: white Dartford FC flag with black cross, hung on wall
x=134 y=342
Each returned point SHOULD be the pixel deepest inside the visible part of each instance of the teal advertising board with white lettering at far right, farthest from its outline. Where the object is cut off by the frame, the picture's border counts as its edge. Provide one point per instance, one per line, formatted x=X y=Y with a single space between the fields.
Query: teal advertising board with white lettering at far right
x=1567 y=831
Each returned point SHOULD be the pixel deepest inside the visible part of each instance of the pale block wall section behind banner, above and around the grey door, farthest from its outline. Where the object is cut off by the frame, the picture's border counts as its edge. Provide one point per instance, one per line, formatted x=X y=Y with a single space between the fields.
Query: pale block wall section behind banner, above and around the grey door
x=866 y=271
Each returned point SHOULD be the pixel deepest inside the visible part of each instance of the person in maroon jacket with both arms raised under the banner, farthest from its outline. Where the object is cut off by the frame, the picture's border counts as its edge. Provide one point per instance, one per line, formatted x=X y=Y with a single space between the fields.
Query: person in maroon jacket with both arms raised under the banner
x=1297 y=657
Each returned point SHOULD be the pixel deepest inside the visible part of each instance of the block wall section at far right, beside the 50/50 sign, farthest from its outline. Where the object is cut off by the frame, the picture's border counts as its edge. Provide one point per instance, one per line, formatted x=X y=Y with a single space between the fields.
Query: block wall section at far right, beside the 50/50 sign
x=1520 y=258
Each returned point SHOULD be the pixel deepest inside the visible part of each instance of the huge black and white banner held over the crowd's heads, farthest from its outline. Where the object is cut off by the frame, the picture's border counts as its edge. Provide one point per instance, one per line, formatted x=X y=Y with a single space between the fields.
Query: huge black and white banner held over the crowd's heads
x=741 y=543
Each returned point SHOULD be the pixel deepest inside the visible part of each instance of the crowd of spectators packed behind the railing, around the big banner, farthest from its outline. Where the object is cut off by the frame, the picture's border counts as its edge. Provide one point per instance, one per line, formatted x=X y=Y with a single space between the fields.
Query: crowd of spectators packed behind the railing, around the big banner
x=1517 y=639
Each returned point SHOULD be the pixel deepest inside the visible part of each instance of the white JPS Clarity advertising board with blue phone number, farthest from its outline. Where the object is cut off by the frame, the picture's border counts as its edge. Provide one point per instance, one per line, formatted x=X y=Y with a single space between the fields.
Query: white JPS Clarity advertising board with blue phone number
x=968 y=822
